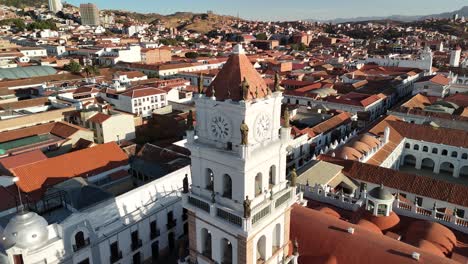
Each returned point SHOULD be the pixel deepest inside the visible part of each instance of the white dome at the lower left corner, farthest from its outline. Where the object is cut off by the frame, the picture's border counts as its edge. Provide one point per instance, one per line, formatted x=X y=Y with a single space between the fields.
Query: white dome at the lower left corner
x=25 y=230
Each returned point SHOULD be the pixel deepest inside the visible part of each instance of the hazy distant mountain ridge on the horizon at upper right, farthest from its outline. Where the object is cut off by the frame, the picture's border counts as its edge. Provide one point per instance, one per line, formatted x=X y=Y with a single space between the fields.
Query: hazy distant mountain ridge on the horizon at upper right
x=461 y=12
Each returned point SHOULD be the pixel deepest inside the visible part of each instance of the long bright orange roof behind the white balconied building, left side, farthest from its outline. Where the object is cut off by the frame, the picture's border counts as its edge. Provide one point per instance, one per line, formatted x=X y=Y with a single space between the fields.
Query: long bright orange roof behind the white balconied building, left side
x=36 y=177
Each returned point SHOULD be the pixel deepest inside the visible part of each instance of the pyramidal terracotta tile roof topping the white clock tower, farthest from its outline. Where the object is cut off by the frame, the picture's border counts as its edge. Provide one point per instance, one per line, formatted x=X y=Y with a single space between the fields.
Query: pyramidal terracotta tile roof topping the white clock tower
x=227 y=83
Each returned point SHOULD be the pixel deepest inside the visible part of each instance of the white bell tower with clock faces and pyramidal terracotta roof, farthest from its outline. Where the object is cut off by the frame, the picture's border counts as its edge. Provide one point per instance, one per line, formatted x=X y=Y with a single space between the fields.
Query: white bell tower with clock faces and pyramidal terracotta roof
x=239 y=202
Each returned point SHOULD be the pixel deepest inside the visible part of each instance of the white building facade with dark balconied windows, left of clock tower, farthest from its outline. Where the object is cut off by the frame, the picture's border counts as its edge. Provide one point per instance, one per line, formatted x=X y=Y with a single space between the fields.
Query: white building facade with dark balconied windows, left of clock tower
x=114 y=220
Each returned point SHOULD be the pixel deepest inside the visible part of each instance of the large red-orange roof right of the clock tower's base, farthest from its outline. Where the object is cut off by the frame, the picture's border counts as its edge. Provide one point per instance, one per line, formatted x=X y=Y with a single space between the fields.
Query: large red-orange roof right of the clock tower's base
x=328 y=238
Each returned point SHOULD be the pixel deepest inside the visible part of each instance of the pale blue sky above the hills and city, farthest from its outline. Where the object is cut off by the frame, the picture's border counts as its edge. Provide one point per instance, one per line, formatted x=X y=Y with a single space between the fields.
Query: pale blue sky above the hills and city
x=285 y=9
